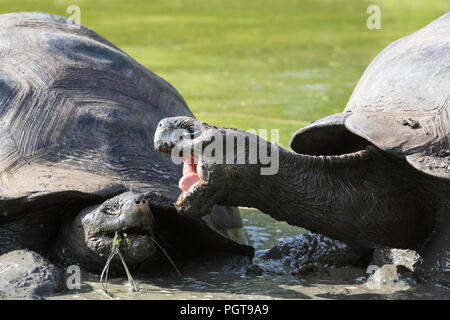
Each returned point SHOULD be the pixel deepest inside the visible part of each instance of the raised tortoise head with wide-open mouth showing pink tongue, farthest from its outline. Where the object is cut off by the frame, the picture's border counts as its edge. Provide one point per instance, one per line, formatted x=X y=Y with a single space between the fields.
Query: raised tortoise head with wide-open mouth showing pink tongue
x=215 y=161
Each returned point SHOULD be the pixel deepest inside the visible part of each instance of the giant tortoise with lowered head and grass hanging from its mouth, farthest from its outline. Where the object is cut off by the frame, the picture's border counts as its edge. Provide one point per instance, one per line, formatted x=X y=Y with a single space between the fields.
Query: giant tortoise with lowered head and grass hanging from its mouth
x=77 y=161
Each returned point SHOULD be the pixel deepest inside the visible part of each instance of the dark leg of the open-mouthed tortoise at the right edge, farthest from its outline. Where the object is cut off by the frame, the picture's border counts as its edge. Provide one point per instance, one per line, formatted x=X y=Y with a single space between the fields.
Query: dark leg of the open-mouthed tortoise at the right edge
x=435 y=263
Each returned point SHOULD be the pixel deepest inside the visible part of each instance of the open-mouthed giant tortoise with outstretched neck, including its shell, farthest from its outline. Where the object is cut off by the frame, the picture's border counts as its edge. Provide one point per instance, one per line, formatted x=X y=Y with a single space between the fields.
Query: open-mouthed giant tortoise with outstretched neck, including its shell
x=376 y=175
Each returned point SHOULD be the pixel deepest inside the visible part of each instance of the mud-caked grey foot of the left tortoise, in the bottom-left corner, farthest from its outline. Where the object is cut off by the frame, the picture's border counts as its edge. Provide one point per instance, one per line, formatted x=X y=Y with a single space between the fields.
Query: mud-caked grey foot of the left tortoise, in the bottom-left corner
x=25 y=274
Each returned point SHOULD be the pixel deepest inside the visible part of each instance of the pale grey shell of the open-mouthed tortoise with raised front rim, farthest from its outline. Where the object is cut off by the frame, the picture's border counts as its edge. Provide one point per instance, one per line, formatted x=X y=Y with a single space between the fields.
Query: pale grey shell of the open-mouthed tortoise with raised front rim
x=401 y=104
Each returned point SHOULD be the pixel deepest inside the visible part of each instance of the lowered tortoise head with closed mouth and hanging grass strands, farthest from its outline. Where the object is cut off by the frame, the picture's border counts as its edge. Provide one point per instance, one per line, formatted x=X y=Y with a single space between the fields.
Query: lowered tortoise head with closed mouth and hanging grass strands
x=91 y=236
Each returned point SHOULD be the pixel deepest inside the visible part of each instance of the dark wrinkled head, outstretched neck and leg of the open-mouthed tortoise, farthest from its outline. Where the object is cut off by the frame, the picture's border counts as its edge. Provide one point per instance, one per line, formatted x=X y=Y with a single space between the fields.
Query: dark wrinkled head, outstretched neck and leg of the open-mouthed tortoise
x=364 y=197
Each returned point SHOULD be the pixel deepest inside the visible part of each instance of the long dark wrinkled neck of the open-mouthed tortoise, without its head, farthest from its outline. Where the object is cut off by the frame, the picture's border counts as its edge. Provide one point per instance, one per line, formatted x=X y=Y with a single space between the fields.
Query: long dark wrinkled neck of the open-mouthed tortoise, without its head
x=359 y=198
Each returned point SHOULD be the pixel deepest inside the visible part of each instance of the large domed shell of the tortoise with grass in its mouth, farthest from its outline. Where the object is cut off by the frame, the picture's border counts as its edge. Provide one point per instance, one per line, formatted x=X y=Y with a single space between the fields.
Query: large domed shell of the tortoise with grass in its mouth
x=77 y=113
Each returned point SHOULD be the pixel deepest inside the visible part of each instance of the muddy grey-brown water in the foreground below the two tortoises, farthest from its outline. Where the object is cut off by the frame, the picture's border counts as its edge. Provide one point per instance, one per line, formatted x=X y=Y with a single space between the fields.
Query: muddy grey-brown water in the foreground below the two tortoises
x=218 y=279
